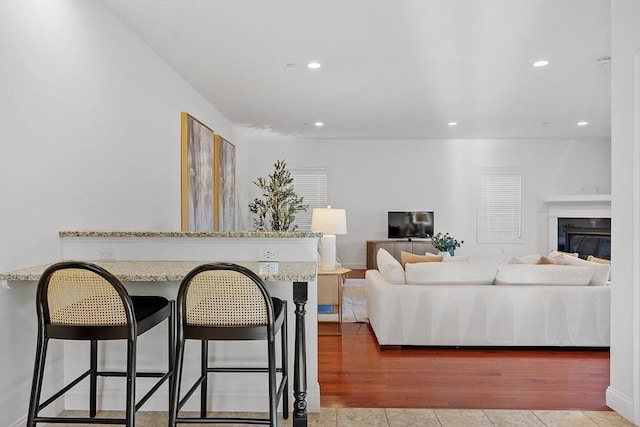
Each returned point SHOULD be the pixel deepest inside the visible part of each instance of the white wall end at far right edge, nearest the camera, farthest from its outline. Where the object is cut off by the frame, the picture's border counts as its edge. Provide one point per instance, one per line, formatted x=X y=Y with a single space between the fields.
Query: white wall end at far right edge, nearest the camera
x=623 y=394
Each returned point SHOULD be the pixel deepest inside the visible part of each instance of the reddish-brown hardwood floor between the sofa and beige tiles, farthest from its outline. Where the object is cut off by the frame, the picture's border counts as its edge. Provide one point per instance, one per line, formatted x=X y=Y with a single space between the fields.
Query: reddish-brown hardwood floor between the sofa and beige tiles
x=354 y=372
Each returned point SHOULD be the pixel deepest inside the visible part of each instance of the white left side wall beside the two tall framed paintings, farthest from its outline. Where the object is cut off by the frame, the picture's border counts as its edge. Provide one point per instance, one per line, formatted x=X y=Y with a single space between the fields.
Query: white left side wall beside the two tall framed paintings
x=89 y=139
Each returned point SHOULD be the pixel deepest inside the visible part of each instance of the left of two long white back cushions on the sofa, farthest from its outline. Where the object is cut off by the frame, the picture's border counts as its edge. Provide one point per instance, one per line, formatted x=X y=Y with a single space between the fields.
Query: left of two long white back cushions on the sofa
x=451 y=273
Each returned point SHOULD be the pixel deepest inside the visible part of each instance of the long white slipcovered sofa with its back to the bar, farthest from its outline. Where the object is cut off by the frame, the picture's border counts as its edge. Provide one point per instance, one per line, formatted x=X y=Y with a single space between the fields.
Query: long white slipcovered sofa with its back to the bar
x=486 y=304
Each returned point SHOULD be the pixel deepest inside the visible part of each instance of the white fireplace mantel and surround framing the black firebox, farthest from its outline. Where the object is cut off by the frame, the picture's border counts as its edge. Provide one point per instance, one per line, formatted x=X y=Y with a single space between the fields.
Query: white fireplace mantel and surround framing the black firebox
x=574 y=206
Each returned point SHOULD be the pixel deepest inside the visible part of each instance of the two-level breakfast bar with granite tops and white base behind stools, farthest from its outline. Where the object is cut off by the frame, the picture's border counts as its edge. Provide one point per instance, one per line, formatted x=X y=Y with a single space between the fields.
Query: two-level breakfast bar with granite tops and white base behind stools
x=155 y=262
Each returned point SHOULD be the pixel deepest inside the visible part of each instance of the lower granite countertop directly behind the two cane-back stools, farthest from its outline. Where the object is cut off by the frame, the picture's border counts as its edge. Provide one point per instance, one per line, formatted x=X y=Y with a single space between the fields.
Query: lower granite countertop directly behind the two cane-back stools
x=174 y=271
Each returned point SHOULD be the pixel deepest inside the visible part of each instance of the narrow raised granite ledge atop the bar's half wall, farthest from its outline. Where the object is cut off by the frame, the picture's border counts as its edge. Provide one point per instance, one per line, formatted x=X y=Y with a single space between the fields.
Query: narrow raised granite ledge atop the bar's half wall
x=217 y=234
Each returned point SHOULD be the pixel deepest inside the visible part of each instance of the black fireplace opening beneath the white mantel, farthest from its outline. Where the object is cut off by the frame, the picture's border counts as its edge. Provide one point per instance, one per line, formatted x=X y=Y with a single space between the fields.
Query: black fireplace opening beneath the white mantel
x=586 y=236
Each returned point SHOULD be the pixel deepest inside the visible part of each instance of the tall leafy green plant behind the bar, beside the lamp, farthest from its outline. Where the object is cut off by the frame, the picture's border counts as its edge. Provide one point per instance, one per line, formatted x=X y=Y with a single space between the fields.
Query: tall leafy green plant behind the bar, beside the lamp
x=279 y=204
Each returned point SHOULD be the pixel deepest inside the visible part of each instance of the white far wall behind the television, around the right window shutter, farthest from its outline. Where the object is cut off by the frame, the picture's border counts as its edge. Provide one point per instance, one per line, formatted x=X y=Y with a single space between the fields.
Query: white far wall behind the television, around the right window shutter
x=369 y=178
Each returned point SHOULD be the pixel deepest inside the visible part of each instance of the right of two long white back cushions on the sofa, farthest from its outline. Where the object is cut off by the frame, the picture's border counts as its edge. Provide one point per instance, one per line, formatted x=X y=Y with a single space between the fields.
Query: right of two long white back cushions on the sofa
x=533 y=274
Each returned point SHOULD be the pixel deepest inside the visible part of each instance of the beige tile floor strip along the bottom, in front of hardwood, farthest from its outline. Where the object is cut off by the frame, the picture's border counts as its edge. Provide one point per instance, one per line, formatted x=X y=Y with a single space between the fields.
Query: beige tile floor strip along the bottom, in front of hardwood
x=356 y=417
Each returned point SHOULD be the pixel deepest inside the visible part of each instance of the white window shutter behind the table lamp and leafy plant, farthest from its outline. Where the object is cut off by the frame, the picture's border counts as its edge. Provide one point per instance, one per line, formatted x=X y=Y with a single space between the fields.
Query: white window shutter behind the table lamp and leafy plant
x=313 y=186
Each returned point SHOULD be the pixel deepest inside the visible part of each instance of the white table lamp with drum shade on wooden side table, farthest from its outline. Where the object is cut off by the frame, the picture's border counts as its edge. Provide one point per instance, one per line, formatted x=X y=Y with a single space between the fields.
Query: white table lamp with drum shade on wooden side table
x=330 y=222
